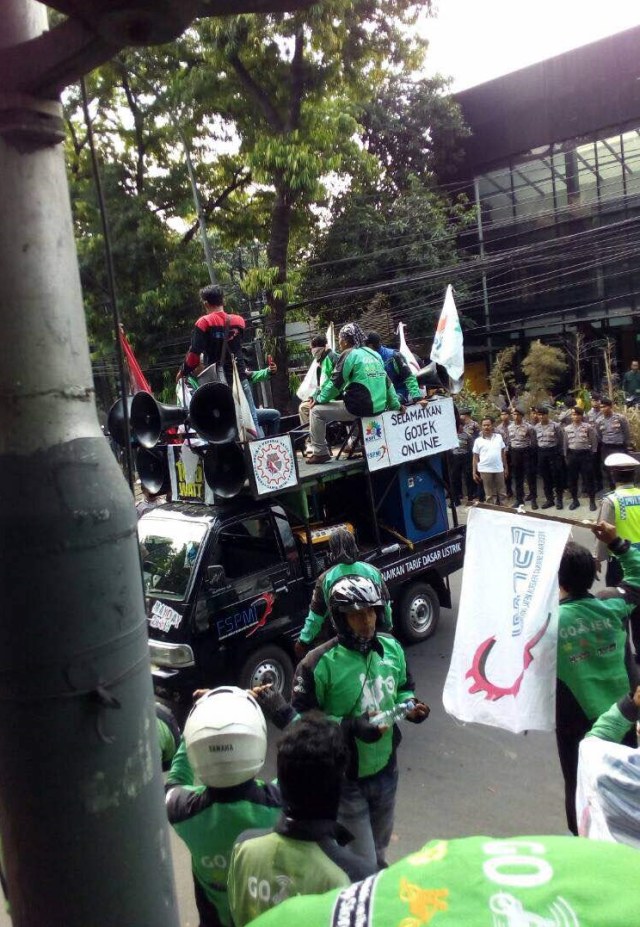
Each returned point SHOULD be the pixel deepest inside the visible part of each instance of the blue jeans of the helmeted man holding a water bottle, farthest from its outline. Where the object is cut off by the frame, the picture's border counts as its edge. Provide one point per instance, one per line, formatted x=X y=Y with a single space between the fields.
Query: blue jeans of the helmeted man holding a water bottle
x=366 y=809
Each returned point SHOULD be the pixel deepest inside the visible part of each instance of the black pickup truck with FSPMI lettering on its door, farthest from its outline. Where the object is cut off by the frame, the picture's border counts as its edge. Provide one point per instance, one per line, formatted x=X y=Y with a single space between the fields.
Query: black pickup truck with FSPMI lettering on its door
x=228 y=585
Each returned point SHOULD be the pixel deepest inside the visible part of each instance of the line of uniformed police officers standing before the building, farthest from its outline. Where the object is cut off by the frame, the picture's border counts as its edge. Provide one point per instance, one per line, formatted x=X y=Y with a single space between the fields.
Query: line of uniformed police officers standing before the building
x=561 y=451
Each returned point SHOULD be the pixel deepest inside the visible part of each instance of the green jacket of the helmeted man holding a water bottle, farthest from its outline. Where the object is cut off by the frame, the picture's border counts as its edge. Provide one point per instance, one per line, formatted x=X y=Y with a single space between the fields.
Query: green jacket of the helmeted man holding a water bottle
x=345 y=683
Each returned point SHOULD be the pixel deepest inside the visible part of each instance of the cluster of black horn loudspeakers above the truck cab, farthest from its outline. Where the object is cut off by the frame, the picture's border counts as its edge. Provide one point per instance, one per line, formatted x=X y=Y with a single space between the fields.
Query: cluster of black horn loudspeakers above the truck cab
x=211 y=414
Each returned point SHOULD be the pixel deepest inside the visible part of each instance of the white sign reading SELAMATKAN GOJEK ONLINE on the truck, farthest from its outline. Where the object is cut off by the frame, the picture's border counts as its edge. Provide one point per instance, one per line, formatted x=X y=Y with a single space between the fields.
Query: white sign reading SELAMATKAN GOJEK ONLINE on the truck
x=393 y=438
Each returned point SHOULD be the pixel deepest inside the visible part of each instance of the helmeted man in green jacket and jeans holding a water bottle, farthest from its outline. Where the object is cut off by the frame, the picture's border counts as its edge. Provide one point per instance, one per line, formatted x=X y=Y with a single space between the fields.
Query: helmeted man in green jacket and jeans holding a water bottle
x=350 y=678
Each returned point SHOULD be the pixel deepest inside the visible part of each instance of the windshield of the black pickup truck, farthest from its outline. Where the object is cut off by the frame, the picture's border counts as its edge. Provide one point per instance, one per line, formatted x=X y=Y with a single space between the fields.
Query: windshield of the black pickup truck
x=169 y=550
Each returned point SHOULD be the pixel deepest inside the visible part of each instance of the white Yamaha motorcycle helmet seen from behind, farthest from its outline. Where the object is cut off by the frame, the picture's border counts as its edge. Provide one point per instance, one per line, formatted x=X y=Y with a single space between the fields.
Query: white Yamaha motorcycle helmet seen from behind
x=226 y=737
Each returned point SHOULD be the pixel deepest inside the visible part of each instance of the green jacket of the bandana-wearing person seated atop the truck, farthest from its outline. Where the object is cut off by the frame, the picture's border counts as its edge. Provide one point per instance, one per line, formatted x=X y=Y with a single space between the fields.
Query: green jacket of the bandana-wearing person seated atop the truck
x=361 y=379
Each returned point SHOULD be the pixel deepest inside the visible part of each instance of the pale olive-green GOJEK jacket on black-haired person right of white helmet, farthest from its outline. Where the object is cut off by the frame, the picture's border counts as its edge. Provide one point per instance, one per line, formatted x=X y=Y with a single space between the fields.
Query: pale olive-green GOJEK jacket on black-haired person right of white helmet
x=295 y=858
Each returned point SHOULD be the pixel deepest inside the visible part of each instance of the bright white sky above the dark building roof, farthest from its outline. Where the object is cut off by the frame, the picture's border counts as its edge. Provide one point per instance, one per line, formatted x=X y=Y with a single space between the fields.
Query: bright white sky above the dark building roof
x=476 y=40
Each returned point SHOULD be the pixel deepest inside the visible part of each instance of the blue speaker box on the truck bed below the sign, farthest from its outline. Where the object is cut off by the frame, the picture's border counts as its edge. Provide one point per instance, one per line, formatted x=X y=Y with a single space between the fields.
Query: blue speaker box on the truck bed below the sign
x=415 y=505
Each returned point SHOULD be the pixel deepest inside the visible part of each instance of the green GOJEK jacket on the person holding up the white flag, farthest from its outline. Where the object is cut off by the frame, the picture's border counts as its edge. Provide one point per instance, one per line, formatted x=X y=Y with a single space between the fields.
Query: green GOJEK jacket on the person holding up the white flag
x=591 y=647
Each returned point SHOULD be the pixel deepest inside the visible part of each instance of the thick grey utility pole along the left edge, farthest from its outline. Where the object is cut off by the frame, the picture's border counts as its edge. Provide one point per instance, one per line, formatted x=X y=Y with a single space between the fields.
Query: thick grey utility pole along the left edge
x=82 y=815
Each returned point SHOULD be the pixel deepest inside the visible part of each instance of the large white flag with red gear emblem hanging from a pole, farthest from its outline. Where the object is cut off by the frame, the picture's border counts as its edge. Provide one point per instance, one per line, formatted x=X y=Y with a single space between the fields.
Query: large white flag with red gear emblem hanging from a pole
x=503 y=665
